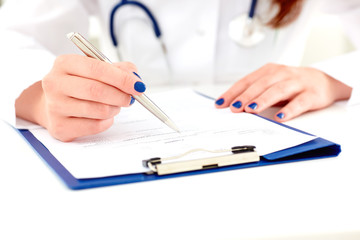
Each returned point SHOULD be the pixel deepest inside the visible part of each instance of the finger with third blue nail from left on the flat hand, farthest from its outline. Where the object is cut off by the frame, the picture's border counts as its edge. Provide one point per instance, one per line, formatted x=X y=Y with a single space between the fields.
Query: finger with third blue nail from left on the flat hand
x=278 y=92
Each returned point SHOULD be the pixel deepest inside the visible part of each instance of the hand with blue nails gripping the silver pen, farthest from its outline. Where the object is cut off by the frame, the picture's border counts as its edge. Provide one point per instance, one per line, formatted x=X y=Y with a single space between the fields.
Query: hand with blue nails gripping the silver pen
x=80 y=96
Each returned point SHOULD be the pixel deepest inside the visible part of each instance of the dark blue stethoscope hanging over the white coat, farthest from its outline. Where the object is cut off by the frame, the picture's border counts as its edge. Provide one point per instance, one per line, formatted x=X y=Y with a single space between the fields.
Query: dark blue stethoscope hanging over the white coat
x=246 y=29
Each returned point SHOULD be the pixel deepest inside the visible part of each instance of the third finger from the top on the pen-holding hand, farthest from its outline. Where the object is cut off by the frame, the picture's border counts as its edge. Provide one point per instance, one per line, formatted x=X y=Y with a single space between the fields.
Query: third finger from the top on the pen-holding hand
x=71 y=107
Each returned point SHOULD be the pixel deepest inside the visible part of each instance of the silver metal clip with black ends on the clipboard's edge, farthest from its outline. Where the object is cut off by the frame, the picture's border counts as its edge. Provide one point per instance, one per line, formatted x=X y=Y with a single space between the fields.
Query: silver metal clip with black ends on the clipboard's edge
x=236 y=155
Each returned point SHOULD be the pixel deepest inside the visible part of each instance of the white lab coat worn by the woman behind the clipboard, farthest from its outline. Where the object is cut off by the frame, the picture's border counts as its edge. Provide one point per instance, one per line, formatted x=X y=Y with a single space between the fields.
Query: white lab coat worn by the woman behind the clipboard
x=32 y=34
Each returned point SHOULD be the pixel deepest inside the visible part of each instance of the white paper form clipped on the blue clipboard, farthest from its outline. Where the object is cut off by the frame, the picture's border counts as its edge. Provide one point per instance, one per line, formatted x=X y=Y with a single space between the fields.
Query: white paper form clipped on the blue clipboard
x=137 y=135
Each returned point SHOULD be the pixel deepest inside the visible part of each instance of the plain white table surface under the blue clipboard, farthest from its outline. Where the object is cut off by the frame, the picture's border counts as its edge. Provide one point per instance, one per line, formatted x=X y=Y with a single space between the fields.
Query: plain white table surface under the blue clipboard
x=318 y=199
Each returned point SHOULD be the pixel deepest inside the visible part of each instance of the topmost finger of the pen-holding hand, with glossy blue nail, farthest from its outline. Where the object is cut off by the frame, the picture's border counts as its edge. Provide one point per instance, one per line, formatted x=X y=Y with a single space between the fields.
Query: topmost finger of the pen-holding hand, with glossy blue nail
x=101 y=71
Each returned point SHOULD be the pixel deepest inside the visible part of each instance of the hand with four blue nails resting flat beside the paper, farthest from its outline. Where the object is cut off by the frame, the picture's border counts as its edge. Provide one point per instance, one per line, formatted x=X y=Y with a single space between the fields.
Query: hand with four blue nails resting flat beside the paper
x=301 y=88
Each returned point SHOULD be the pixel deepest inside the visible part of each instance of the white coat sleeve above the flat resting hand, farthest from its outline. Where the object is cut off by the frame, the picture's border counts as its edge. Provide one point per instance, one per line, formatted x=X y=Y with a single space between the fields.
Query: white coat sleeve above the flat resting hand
x=345 y=68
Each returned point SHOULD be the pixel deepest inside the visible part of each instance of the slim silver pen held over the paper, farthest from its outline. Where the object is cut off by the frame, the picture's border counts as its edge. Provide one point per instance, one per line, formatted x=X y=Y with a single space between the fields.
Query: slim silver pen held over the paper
x=91 y=51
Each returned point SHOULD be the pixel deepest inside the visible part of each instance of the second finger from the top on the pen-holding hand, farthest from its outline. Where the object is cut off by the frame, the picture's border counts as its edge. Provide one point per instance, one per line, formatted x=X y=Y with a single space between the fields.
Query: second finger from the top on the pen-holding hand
x=92 y=90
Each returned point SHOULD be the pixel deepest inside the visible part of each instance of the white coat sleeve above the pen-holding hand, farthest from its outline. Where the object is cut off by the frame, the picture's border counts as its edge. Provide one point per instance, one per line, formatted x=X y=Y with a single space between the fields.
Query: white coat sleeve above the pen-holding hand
x=32 y=34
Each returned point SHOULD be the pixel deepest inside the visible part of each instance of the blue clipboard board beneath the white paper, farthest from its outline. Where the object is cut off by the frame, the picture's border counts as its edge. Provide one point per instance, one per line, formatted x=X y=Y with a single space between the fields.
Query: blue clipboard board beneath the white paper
x=315 y=149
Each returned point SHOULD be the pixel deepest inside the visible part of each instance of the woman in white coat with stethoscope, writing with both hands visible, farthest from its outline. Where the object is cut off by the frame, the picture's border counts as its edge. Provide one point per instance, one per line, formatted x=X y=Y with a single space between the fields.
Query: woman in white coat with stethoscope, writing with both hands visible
x=255 y=44
